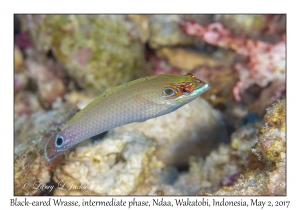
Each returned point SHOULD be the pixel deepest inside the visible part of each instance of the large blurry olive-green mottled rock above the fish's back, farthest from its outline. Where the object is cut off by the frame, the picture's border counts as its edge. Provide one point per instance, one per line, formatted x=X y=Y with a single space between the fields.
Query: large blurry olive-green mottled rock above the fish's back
x=98 y=51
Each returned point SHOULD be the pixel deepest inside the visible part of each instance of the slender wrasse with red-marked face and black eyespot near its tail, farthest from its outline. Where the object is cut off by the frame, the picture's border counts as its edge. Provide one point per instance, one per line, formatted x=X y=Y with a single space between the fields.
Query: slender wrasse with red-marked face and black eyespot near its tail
x=135 y=101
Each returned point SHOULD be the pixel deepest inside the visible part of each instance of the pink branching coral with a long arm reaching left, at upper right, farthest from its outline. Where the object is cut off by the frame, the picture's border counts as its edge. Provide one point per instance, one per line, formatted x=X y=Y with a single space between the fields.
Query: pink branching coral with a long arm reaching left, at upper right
x=264 y=62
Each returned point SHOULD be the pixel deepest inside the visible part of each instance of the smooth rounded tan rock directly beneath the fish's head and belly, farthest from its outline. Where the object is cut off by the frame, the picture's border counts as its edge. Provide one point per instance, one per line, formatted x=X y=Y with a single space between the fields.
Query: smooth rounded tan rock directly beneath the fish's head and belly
x=203 y=128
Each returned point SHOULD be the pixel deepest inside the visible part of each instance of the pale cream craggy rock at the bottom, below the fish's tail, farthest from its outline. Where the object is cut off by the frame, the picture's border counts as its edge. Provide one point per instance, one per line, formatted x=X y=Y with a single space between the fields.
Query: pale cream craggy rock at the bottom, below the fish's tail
x=115 y=166
